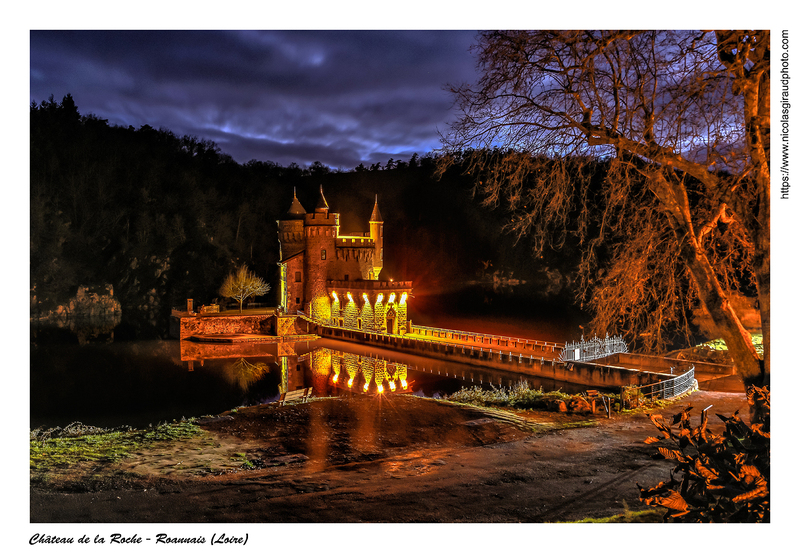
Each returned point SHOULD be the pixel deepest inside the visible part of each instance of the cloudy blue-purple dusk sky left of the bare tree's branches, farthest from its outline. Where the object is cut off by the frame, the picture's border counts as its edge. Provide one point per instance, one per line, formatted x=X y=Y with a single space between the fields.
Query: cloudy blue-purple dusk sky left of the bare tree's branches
x=339 y=97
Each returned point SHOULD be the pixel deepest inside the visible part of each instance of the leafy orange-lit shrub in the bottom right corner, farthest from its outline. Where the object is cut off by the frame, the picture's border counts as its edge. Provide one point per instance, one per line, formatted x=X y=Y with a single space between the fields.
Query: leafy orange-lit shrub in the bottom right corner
x=725 y=477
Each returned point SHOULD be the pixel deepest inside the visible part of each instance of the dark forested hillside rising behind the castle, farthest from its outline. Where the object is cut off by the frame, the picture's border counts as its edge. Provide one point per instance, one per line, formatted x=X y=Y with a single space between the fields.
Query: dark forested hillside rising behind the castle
x=163 y=218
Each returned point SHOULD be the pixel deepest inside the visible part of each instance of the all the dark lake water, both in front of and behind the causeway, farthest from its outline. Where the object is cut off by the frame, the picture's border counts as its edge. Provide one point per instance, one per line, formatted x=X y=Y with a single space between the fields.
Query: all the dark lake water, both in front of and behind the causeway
x=100 y=374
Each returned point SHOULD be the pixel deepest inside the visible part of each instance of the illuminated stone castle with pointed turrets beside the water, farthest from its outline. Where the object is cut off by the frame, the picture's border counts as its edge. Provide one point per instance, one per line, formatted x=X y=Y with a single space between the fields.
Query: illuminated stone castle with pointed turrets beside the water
x=333 y=278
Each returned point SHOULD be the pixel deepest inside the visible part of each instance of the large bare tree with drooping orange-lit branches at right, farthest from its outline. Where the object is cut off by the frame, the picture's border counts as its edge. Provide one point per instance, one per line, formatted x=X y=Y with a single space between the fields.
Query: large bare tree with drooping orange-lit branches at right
x=680 y=122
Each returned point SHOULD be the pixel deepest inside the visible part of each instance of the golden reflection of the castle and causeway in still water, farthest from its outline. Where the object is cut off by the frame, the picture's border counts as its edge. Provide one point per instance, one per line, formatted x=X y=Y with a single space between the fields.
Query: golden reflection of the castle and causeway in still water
x=265 y=371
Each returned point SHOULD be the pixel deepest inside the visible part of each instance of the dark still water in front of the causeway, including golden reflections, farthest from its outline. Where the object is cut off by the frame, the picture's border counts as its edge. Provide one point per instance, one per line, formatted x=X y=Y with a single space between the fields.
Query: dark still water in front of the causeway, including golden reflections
x=142 y=382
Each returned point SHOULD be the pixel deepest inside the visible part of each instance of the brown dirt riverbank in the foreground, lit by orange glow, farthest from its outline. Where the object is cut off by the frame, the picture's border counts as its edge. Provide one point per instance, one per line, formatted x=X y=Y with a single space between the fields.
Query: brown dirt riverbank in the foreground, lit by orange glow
x=368 y=459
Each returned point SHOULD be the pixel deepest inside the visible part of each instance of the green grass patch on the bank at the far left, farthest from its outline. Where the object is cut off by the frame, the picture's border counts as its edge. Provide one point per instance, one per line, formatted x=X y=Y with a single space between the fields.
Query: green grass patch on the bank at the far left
x=59 y=448
